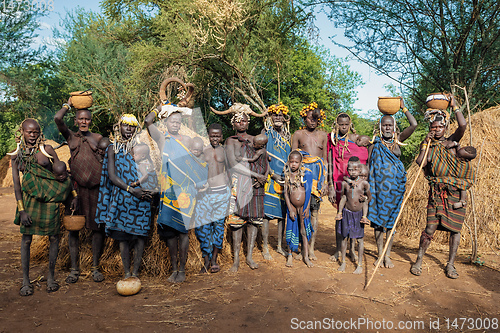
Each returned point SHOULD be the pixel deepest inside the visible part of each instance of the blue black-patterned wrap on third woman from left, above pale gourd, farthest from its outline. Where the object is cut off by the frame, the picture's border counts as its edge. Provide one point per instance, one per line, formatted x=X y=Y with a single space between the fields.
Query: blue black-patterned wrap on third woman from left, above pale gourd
x=118 y=209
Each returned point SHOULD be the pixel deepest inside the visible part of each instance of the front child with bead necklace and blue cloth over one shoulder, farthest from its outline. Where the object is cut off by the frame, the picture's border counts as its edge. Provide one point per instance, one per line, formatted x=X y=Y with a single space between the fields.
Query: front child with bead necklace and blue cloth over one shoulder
x=298 y=184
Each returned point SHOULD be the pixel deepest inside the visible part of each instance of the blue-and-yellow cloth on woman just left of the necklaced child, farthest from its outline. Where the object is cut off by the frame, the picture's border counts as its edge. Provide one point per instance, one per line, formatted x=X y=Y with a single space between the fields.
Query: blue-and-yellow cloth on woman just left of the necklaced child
x=278 y=149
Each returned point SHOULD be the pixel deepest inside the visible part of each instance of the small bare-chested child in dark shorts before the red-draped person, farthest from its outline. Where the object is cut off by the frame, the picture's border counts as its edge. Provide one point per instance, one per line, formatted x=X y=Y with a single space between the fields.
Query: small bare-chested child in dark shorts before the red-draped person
x=351 y=211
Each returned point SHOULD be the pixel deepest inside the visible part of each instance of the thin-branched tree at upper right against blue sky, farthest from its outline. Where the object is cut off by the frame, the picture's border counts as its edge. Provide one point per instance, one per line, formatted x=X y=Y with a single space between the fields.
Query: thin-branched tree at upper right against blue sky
x=427 y=46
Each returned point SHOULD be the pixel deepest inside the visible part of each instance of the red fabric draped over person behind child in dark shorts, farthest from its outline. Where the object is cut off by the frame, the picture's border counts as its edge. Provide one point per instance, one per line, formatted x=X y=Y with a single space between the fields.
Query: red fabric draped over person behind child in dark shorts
x=340 y=156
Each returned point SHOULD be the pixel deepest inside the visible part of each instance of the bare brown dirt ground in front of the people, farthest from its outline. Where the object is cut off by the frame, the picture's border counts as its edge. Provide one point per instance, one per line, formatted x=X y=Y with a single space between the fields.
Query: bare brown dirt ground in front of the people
x=271 y=298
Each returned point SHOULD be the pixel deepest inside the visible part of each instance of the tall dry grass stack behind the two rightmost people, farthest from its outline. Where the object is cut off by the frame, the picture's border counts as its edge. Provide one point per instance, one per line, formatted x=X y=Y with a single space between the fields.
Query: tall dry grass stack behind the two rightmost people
x=486 y=139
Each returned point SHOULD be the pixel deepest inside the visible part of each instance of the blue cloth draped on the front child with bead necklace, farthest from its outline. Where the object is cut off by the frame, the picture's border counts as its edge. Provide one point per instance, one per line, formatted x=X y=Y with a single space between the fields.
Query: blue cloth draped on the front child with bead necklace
x=293 y=237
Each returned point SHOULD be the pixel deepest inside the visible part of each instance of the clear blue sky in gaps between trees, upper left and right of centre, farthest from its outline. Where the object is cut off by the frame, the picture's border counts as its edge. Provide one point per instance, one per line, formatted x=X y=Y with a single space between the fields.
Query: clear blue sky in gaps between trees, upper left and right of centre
x=367 y=94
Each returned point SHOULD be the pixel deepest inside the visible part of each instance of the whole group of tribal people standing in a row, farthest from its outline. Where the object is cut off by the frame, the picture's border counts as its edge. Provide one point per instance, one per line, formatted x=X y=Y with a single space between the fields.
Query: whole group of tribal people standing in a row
x=243 y=183
